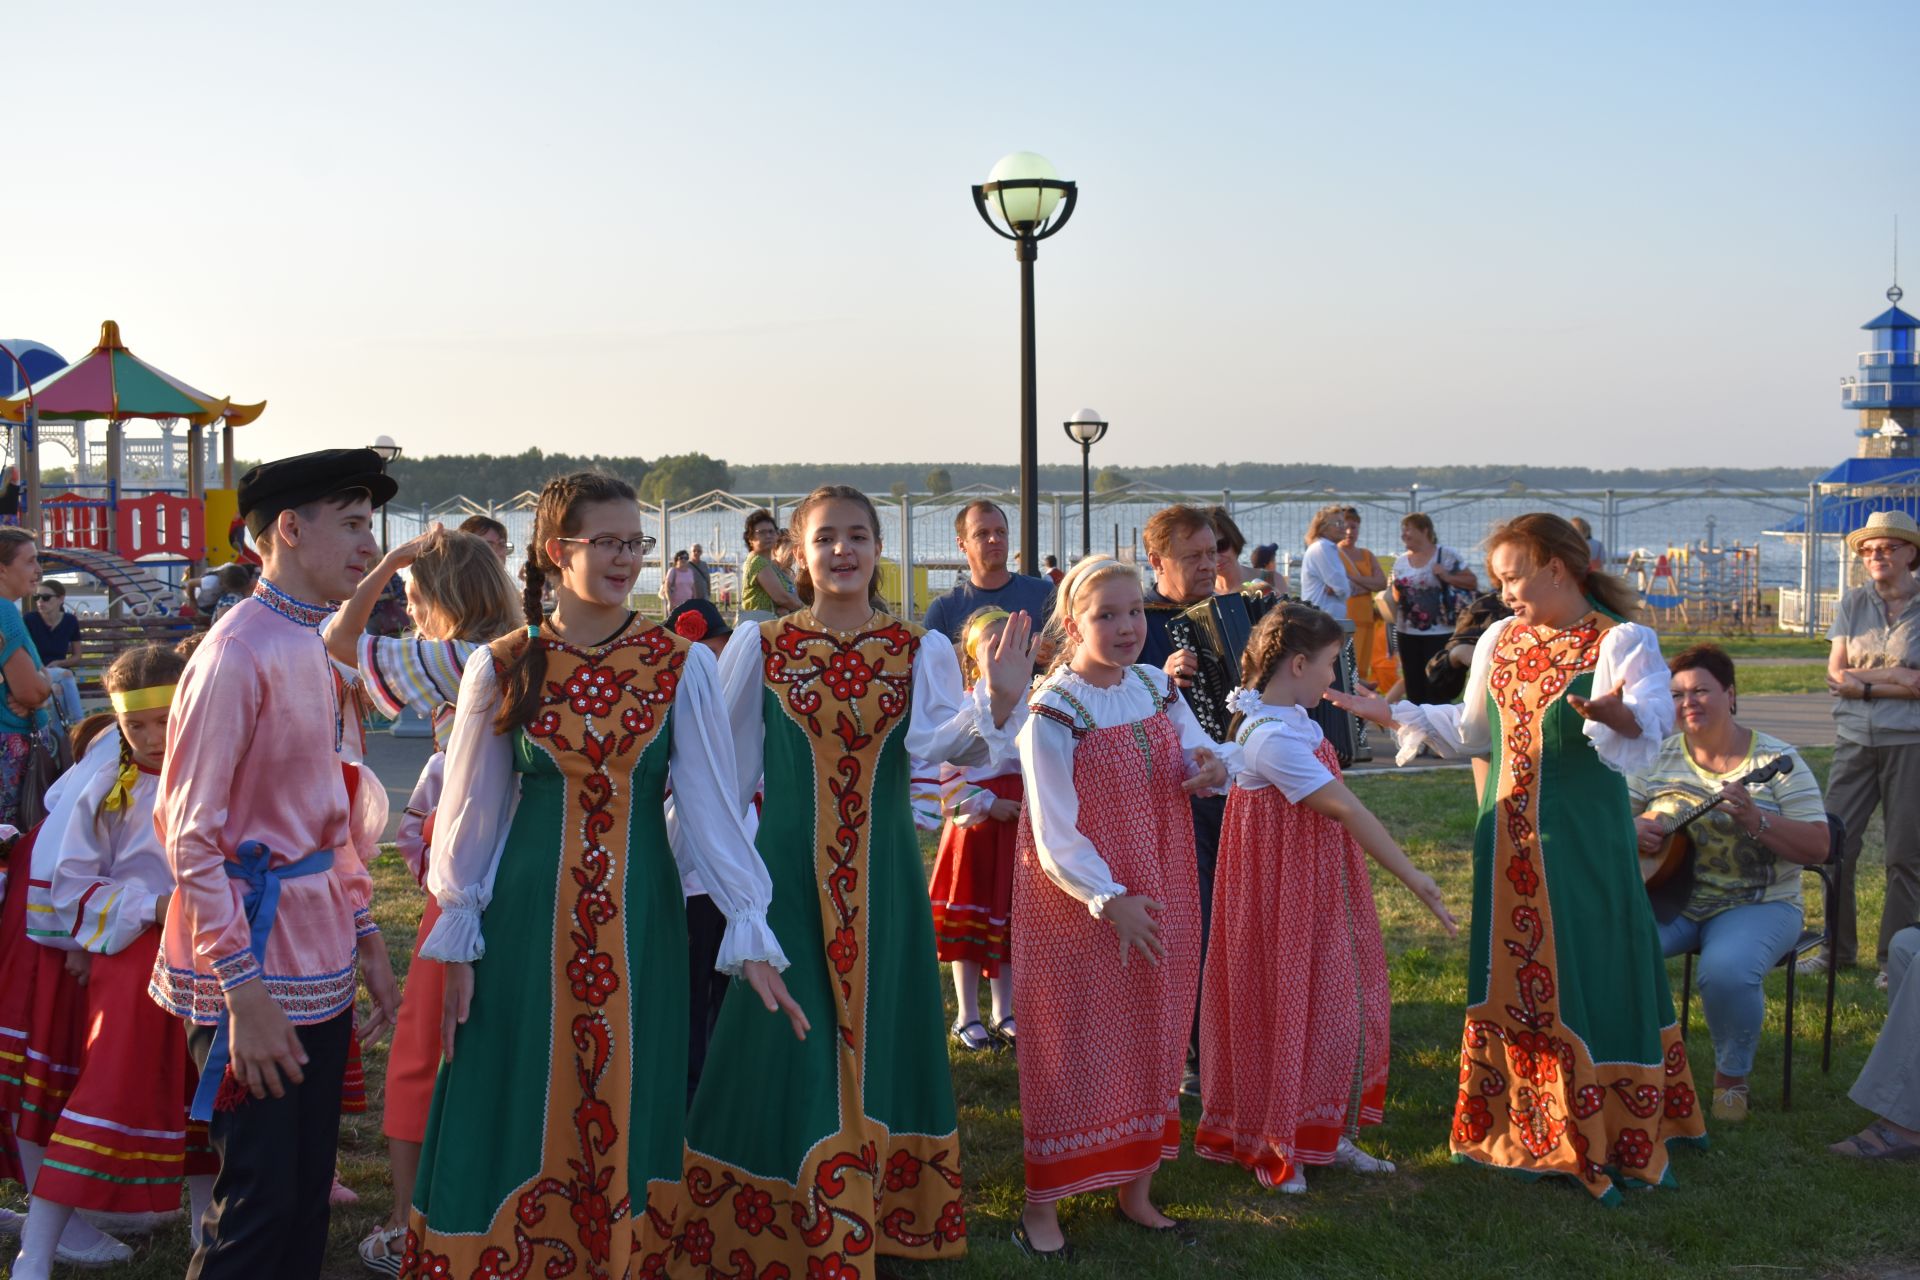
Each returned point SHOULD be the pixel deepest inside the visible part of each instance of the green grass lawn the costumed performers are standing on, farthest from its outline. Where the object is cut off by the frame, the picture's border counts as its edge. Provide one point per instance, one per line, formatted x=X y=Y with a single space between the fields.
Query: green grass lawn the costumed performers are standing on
x=1765 y=1200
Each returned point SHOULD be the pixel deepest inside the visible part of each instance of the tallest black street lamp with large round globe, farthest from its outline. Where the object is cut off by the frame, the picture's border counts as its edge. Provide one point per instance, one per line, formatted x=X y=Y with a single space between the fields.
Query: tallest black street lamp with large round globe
x=1024 y=191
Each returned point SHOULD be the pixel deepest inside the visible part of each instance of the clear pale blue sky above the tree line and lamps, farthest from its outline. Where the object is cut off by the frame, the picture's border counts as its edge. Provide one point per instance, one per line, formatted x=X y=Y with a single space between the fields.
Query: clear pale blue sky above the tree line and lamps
x=1612 y=235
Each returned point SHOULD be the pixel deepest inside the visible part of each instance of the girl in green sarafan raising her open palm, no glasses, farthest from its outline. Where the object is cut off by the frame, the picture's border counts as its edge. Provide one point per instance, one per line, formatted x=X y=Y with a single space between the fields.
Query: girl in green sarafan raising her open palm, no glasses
x=817 y=1158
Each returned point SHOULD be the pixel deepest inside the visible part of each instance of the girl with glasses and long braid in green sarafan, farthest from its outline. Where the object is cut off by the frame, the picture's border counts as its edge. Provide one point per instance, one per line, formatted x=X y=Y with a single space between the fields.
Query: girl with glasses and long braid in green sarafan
x=556 y=1137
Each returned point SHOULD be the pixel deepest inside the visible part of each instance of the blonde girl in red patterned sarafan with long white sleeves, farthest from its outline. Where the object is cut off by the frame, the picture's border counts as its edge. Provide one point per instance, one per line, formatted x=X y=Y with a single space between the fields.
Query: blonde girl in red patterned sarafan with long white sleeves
x=1107 y=909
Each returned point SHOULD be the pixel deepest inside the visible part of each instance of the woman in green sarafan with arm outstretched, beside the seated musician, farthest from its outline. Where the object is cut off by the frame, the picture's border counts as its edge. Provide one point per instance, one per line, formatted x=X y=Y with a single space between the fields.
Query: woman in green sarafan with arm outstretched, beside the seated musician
x=1572 y=1062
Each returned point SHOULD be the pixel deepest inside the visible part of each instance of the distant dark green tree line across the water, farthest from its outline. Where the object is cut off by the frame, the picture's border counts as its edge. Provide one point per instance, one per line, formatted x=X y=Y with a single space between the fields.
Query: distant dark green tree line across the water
x=675 y=479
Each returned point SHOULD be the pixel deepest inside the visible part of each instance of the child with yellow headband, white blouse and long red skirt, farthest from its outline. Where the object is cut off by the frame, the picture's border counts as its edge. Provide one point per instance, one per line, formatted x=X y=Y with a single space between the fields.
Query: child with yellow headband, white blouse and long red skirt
x=122 y=1131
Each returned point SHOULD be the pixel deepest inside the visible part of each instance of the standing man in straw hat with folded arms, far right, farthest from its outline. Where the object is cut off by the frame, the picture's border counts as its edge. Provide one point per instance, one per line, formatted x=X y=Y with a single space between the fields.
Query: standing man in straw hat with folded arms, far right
x=1875 y=675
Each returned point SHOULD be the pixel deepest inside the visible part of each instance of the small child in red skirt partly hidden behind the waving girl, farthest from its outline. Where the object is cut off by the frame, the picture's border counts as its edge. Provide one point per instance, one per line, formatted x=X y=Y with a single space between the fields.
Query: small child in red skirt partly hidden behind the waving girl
x=972 y=886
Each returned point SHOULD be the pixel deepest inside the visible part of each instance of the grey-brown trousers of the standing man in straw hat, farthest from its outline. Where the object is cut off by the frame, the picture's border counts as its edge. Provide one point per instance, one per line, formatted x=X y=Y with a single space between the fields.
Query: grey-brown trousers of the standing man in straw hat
x=1863 y=780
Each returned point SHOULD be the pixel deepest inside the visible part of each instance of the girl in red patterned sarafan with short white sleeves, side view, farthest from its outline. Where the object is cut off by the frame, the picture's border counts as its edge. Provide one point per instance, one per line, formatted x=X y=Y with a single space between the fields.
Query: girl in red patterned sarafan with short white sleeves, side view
x=1295 y=1003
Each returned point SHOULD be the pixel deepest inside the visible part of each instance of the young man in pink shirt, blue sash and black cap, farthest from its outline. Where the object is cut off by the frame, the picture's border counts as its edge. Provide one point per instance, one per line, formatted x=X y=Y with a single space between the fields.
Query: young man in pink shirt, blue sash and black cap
x=270 y=916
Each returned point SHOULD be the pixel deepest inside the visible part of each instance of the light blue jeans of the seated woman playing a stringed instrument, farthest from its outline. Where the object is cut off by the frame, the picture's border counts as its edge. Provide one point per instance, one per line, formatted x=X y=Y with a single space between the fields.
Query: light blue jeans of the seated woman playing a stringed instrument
x=1737 y=949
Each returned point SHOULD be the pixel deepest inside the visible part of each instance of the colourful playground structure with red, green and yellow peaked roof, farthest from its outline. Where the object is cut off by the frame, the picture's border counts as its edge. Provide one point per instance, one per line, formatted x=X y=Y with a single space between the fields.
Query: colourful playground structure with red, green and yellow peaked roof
x=151 y=517
